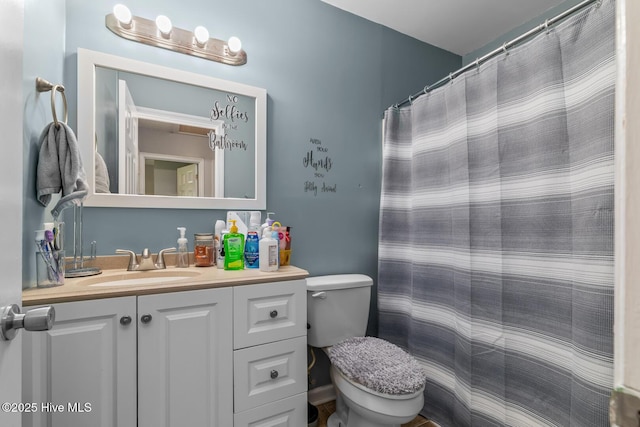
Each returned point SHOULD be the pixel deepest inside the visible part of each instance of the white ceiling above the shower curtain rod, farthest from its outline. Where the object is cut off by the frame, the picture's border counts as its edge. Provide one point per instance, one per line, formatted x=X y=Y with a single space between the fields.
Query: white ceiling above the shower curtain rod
x=459 y=26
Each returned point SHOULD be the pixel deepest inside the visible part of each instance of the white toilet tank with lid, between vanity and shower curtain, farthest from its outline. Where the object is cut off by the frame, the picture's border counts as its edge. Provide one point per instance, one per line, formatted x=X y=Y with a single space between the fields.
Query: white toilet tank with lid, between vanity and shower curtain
x=337 y=308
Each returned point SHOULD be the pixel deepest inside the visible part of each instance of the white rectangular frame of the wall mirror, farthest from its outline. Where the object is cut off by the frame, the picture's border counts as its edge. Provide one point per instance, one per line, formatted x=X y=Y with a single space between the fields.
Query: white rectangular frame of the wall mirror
x=88 y=61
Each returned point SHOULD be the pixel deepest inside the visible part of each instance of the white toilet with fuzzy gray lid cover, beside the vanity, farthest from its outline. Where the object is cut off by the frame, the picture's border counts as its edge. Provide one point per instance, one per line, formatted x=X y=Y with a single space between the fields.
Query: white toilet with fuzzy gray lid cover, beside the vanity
x=377 y=383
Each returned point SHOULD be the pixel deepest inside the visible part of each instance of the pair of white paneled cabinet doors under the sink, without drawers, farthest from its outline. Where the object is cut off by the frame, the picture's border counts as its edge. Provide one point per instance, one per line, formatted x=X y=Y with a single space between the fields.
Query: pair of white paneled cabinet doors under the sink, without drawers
x=153 y=360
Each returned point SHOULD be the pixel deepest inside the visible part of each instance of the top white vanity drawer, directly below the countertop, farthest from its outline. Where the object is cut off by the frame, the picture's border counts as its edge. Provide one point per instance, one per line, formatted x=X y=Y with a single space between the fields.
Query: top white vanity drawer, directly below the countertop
x=269 y=312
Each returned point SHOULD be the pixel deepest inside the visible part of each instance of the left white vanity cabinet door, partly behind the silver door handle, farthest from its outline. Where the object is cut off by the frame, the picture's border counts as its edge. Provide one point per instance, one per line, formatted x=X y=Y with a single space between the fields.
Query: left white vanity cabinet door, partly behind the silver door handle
x=82 y=371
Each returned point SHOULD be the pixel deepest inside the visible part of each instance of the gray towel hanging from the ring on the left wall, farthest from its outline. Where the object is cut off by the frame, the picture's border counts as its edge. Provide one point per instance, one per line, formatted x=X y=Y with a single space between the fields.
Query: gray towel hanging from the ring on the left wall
x=60 y=168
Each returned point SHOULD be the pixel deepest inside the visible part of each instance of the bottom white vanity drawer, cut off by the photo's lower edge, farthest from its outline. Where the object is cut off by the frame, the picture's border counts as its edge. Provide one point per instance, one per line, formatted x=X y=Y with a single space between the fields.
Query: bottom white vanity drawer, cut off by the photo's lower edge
x=289 y=412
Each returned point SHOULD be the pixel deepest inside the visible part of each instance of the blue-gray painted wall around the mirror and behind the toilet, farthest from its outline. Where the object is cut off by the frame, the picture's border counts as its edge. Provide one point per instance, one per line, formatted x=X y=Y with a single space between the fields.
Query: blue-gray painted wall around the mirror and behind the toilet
x=329 y=76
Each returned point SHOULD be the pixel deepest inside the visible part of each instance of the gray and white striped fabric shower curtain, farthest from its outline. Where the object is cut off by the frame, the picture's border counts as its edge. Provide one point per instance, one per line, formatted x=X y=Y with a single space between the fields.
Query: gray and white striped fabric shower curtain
x=496 y=232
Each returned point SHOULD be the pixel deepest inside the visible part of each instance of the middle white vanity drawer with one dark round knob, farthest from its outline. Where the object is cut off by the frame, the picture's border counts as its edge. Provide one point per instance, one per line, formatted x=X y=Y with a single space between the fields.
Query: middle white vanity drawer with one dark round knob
x=269 y=372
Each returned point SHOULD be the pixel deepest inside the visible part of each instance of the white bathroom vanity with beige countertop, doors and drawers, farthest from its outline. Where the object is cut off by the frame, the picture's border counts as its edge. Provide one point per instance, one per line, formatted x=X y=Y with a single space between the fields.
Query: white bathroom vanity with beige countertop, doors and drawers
x=196 y=346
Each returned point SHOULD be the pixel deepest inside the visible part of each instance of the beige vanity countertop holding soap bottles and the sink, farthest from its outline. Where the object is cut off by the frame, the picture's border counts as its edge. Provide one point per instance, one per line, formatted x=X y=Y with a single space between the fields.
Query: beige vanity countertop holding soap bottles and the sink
x=171 y=279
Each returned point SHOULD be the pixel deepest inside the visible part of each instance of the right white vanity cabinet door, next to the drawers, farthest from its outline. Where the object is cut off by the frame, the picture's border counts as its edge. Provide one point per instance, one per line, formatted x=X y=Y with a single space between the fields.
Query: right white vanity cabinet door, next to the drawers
x=185 y=375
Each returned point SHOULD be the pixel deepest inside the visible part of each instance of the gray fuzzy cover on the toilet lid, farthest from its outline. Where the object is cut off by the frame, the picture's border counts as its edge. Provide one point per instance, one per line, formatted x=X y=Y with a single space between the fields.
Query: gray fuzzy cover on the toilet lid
x=378 y=365
